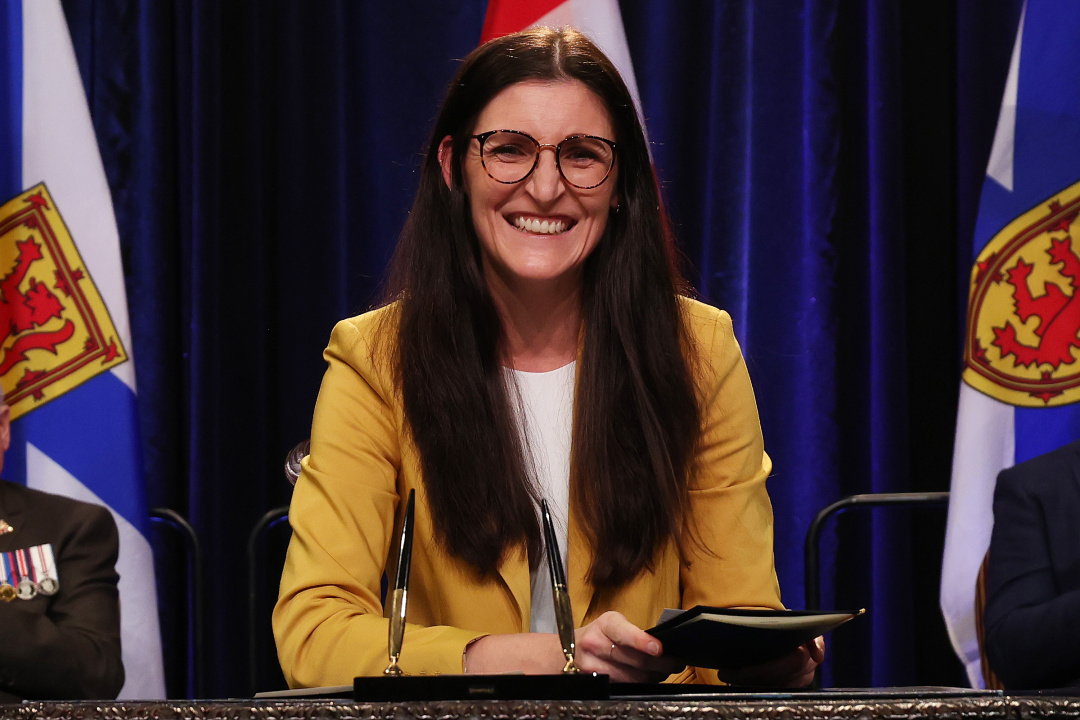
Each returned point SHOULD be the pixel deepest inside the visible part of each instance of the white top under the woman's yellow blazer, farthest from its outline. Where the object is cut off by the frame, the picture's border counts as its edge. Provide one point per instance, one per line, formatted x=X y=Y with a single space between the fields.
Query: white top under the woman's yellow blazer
x=546 y=419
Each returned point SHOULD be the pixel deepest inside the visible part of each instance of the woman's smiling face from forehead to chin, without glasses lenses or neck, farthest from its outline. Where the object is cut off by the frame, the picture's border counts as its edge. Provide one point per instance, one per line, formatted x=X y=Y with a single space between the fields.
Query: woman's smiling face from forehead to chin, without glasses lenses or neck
x=539 y=230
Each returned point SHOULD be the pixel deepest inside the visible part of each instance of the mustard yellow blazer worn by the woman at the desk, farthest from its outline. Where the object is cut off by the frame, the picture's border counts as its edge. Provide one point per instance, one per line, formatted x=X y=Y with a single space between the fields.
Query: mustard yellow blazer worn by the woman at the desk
x=330 y=622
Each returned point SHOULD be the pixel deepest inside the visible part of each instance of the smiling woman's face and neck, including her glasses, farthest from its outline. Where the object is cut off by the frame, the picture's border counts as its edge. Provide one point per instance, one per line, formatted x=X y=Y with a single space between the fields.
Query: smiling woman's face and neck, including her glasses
x=535 y=226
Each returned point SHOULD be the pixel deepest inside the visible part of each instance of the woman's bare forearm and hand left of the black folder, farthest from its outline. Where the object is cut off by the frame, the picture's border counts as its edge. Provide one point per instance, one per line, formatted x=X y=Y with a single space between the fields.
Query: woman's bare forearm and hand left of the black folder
x=611 y=646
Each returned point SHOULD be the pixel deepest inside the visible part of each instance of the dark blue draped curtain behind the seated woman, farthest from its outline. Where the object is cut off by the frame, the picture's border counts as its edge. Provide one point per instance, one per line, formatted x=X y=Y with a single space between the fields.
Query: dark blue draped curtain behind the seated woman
x=821 y=161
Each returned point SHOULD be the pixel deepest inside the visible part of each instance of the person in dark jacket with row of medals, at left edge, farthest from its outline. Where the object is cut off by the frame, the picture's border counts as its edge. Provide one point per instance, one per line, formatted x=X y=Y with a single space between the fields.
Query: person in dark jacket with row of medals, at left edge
x=60 y=635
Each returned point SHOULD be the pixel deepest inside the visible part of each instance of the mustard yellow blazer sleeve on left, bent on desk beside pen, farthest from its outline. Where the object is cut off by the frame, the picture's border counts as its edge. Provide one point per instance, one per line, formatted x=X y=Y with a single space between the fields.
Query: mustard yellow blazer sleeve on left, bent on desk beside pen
x=329 y=622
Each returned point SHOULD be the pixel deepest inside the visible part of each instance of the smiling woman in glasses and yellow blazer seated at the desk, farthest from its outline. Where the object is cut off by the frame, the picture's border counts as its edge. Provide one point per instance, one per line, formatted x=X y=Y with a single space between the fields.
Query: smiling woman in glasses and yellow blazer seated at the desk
x=534 y=308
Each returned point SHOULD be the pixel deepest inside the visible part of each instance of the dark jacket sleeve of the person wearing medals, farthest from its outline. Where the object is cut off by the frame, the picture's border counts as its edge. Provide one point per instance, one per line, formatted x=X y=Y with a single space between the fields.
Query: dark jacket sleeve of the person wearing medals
x=72 y=651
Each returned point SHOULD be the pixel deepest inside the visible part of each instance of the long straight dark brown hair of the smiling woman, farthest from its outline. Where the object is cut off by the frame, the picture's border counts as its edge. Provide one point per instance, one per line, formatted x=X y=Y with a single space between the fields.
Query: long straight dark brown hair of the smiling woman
x=637 y=415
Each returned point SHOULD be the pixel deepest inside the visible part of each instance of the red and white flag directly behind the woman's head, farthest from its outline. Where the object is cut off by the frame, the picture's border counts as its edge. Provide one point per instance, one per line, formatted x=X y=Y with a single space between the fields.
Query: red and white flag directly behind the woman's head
x=600 y=20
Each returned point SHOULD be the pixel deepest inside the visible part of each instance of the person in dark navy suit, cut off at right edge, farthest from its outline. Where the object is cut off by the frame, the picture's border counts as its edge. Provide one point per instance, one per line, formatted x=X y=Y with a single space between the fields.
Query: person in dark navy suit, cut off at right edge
x=1033 y=581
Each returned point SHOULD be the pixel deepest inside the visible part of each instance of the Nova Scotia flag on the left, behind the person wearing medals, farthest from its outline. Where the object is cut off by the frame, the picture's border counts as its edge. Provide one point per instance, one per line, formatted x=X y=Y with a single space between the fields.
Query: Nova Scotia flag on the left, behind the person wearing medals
x=76 y=431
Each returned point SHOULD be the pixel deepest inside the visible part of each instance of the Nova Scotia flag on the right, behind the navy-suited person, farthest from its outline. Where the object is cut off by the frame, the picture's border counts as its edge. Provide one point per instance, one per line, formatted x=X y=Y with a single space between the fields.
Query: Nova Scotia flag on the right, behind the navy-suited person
x=1021 y=390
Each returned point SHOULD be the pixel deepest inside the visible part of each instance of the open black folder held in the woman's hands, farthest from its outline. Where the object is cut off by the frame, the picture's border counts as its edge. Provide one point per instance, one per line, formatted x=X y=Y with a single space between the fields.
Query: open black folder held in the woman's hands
x=730 y=637
